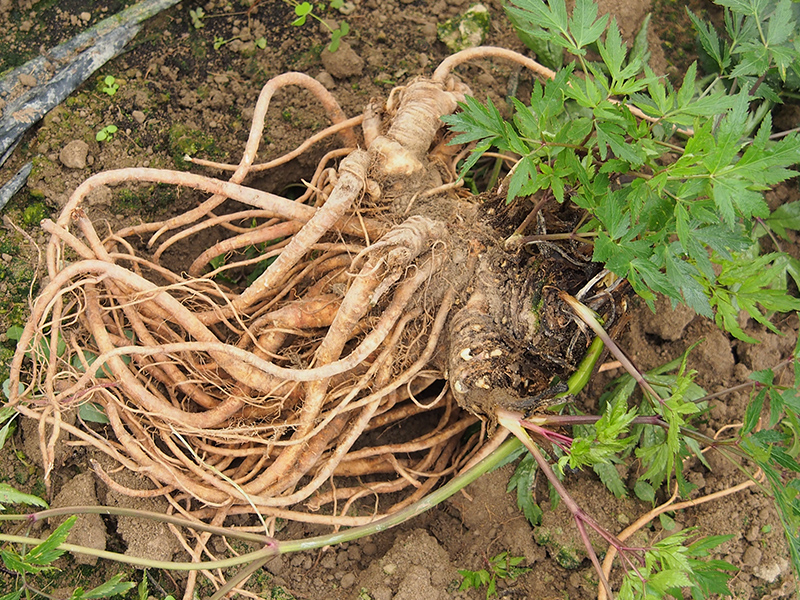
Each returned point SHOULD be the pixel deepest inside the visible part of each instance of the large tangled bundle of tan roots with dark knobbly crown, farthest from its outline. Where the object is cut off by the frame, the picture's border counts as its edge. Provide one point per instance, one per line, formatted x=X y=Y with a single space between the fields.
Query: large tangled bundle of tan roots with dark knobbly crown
x=382 y=320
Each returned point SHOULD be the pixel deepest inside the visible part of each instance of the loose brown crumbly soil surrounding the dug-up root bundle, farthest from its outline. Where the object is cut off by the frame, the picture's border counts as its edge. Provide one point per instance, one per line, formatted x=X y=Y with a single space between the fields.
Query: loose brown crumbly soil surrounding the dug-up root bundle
x=179 y=94
